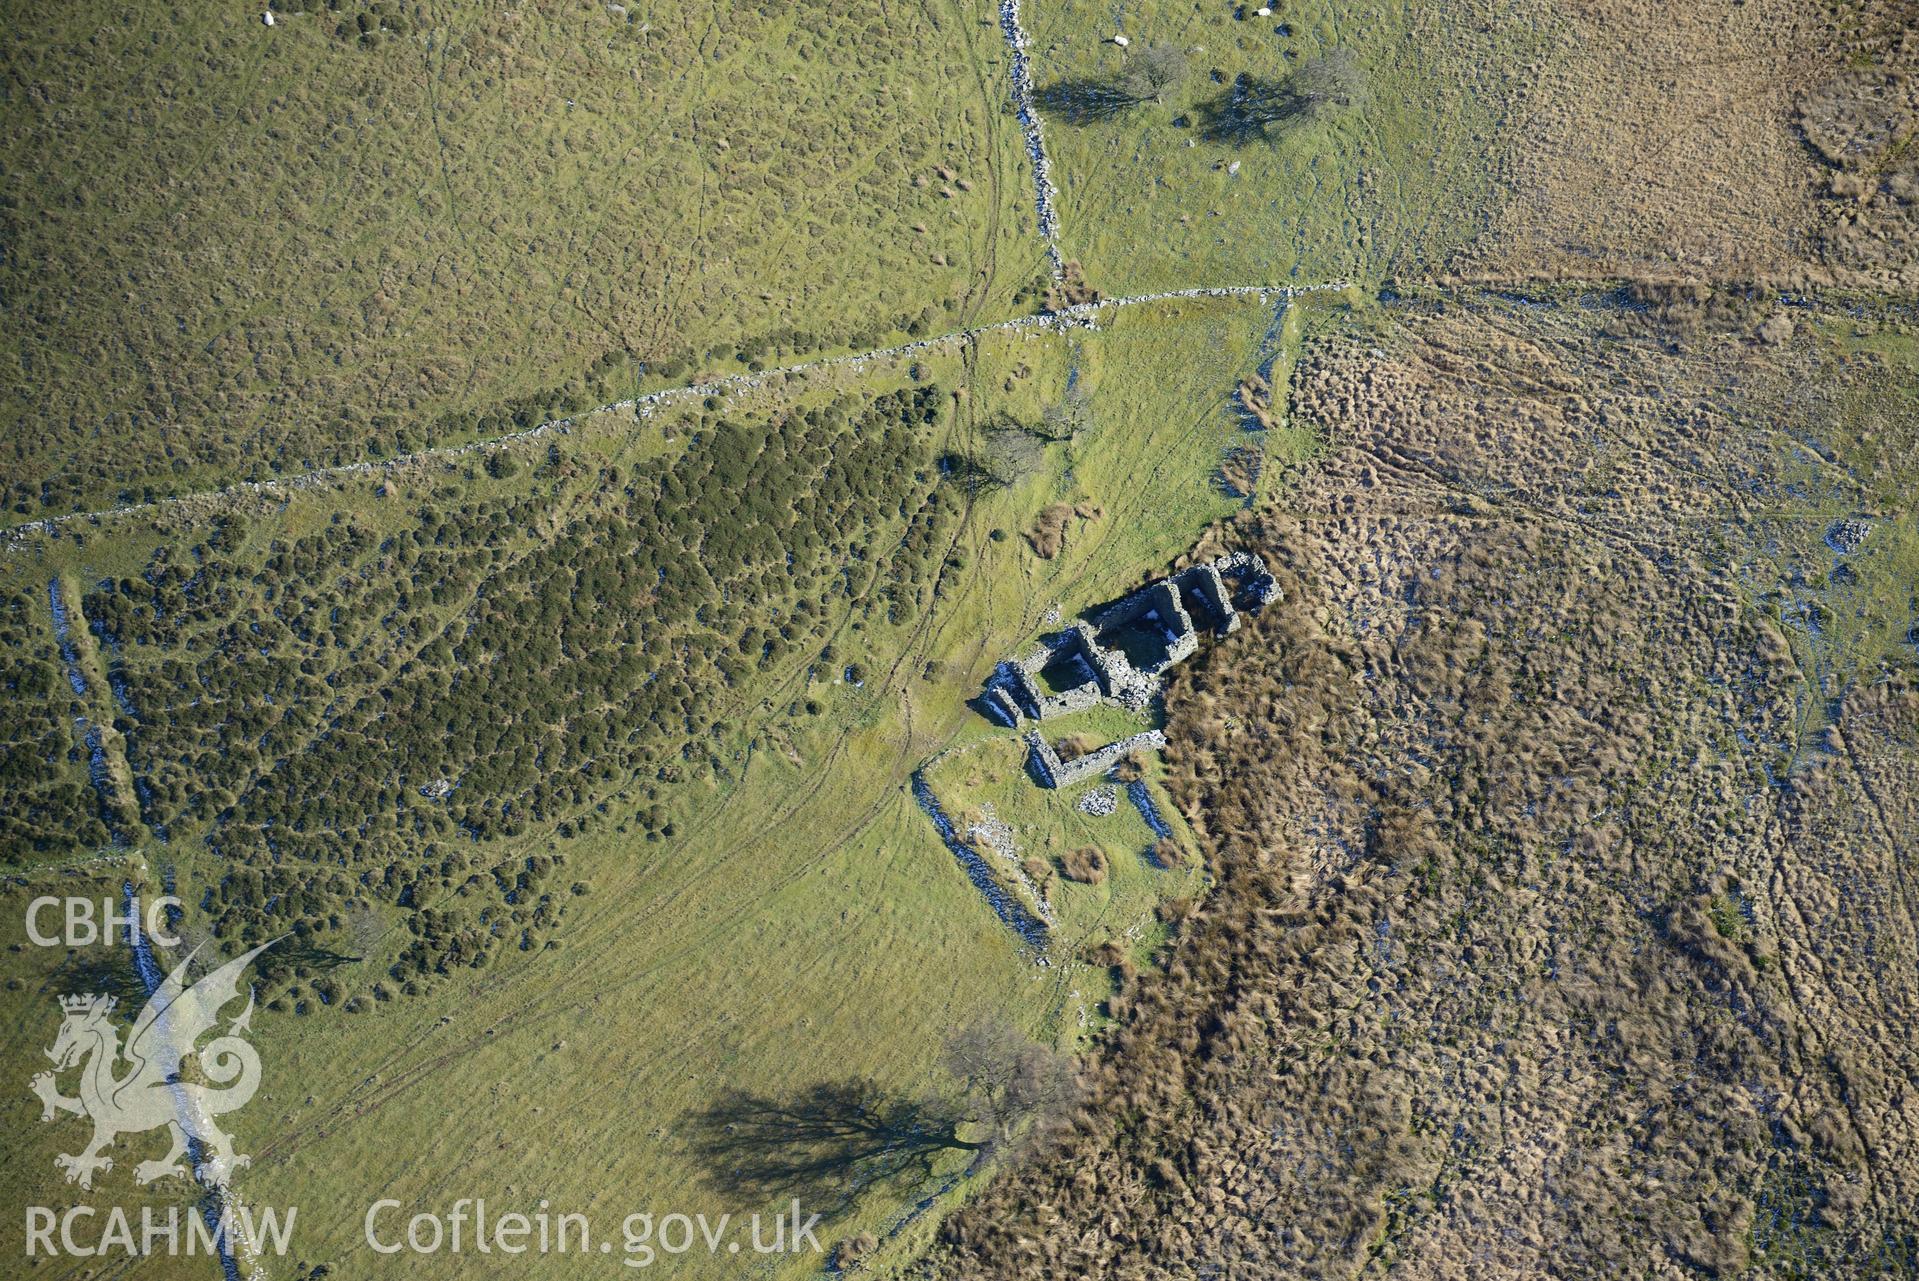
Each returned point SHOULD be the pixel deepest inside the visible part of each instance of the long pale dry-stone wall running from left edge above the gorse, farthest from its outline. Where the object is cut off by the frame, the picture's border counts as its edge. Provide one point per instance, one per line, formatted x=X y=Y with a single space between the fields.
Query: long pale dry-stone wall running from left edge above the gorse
x=1083 y=315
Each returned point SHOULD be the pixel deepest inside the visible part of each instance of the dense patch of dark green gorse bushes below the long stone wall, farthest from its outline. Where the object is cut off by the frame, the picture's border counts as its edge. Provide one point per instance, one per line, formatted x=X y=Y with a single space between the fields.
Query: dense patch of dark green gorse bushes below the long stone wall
x=350 y=718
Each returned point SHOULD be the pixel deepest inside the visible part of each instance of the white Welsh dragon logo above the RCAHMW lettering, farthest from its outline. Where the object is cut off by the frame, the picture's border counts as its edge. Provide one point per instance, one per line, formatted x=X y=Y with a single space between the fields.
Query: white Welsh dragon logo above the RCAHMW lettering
x=151 y=1092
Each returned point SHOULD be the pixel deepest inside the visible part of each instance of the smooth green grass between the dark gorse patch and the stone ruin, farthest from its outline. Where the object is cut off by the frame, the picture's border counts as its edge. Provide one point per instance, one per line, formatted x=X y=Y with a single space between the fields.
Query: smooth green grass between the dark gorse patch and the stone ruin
x=805 y=921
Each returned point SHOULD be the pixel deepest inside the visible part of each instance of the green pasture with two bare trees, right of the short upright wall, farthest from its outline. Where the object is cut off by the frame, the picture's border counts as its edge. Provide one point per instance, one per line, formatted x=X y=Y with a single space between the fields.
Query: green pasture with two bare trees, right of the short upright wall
x=1386 y=187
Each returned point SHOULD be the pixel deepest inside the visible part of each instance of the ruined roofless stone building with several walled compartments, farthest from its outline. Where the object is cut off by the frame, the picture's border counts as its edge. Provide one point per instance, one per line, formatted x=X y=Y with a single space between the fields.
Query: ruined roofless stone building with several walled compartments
x=1122 y=655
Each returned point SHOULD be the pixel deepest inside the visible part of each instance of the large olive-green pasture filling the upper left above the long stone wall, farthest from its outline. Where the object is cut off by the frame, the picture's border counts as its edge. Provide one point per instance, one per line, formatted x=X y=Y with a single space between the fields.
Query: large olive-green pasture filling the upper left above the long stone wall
x=245 y=250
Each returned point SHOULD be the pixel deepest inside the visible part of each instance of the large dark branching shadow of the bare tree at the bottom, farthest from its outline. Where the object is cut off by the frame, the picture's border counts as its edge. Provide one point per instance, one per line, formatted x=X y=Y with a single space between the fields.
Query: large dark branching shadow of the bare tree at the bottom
x=824 y=1146
